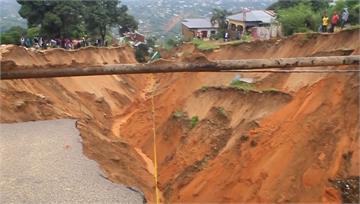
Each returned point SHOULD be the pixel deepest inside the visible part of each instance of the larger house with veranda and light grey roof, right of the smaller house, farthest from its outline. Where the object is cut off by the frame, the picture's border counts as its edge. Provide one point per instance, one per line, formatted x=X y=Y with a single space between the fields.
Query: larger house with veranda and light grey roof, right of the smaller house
x=260 y=23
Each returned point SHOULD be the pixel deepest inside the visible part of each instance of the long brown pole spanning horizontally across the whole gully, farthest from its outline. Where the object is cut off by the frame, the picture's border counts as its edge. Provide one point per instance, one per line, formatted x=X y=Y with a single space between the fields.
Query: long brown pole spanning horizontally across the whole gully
x=246 y=65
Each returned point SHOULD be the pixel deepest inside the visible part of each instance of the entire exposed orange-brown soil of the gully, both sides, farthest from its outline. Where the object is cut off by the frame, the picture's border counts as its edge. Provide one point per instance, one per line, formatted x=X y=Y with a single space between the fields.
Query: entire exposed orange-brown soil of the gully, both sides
x=215 y=143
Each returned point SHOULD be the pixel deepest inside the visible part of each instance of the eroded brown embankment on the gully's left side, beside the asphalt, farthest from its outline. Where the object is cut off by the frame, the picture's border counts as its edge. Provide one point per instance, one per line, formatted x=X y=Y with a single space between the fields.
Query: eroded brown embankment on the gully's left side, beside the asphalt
x=93 y=101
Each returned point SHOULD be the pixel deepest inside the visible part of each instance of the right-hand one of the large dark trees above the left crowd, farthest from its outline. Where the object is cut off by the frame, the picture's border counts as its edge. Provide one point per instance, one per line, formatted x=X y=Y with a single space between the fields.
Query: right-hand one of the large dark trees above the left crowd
x=100 y=15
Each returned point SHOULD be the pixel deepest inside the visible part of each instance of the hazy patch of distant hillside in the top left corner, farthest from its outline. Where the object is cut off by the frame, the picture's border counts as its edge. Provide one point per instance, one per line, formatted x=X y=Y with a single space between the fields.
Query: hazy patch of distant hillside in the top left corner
x=9 y=15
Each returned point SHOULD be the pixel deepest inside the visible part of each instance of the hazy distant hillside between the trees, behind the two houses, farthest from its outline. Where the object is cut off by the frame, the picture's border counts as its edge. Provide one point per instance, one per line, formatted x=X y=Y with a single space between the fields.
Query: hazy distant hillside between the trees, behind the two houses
x=162 y=17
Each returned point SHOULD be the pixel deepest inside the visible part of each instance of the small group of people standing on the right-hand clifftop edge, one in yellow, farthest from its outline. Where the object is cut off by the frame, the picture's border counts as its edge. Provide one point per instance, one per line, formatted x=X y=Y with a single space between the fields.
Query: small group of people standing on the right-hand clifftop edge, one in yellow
x=334 y=21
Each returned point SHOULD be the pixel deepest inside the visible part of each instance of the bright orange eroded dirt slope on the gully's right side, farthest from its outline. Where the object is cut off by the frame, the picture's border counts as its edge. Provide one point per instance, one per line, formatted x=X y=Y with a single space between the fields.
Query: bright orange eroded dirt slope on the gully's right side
x=183 y=175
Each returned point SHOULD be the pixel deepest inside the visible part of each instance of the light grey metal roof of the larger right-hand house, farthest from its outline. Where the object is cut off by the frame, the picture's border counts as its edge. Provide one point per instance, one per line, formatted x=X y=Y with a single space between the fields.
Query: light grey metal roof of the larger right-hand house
x=256 y=15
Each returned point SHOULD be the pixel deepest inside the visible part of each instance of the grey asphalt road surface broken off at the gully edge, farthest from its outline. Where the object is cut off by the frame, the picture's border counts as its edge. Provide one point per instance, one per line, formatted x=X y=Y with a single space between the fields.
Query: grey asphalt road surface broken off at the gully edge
x=42 y=162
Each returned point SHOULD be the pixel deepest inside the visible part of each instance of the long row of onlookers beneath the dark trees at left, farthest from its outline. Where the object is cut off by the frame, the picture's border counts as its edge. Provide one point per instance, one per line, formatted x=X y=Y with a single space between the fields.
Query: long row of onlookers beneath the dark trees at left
x=66 y=43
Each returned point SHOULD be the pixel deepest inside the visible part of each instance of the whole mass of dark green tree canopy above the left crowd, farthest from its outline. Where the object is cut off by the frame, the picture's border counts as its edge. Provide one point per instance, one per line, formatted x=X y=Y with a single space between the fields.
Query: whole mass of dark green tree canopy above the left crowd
x=76 y=18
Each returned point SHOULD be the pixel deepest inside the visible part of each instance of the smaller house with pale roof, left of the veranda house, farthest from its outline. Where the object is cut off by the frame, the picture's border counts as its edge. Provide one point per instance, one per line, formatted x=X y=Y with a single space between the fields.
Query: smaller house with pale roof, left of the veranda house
x=198 y=27
